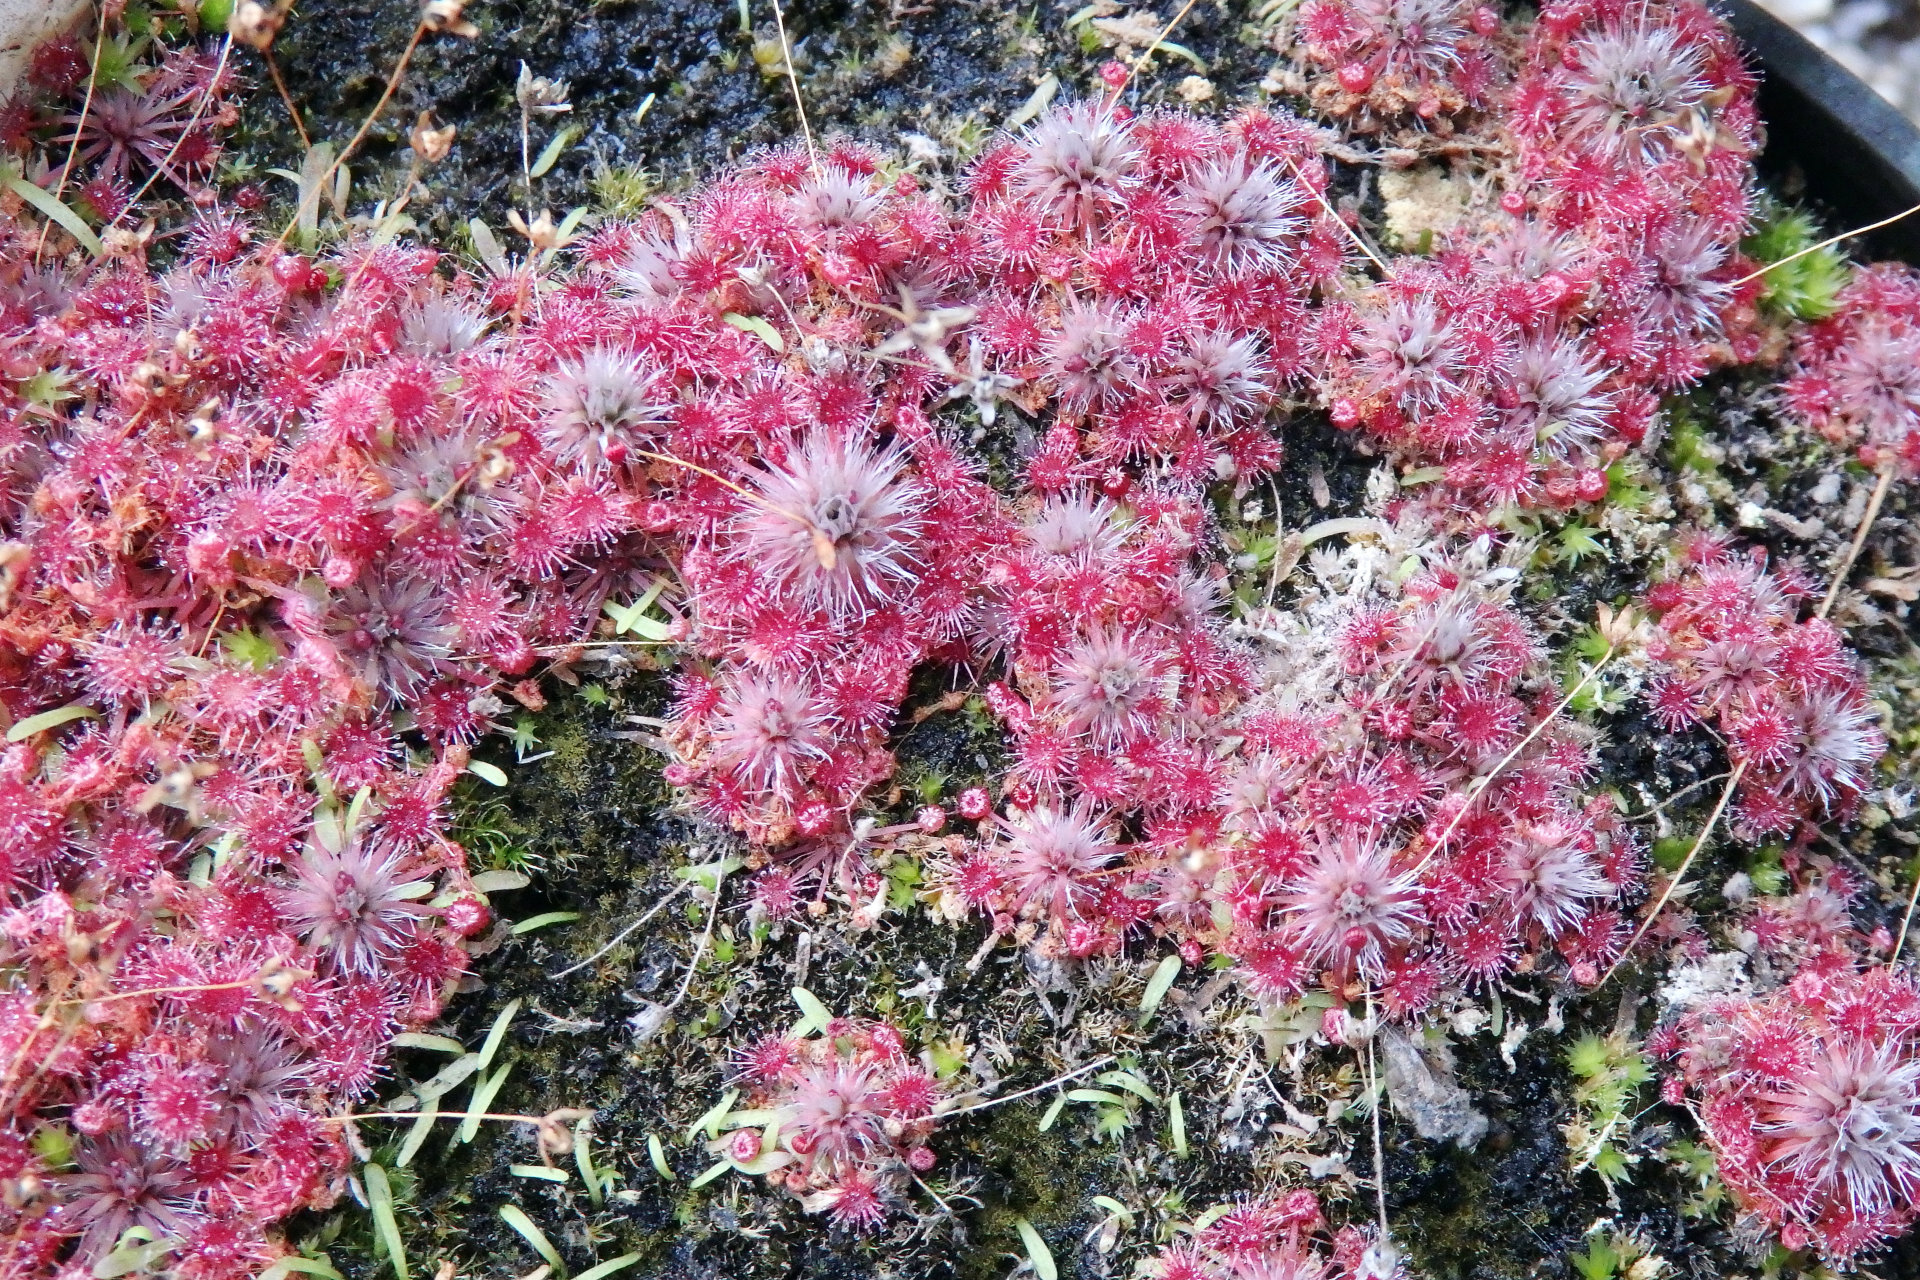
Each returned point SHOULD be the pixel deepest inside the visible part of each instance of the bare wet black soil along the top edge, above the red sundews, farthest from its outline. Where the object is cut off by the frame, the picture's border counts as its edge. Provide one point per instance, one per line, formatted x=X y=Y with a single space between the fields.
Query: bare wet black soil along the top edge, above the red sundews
x=951 y=72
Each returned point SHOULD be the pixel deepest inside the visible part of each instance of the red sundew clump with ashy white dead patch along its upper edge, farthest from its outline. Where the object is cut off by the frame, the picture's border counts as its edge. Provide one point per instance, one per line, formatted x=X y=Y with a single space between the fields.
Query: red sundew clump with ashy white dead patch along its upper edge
x=1343 y=840
